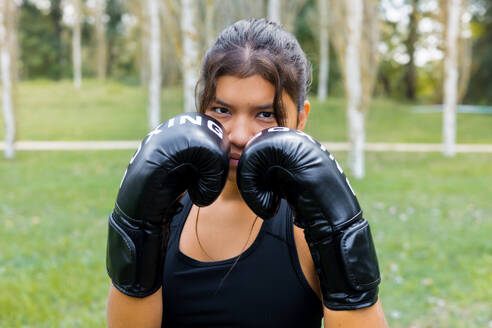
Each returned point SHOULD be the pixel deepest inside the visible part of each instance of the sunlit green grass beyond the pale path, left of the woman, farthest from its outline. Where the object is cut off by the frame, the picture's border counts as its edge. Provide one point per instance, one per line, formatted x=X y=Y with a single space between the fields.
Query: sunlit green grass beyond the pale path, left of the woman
x=99 y=111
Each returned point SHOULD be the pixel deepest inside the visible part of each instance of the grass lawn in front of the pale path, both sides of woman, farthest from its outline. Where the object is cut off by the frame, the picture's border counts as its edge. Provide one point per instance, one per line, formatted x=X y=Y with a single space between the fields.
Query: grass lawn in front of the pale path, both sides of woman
x=430 y=218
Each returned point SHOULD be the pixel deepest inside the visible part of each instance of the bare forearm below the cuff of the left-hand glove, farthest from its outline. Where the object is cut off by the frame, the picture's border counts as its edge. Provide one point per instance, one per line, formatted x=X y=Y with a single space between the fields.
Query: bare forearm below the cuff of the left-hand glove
x=126 y=311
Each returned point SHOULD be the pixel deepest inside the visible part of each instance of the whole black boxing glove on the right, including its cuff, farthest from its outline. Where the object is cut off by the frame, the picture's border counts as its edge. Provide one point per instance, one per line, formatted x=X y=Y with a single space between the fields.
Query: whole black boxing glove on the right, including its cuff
x=284 y=163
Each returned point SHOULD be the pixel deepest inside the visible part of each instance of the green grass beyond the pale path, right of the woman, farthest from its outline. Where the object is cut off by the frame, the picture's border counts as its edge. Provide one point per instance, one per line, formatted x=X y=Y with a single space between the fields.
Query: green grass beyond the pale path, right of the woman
x=390 y=121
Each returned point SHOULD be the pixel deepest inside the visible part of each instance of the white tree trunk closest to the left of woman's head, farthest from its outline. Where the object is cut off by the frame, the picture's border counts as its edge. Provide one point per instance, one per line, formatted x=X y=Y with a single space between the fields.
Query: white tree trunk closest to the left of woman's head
x=191 y=58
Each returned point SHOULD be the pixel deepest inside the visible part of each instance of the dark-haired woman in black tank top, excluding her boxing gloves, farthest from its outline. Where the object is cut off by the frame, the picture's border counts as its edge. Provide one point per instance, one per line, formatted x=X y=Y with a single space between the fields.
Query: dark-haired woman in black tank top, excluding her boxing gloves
x=225 y=265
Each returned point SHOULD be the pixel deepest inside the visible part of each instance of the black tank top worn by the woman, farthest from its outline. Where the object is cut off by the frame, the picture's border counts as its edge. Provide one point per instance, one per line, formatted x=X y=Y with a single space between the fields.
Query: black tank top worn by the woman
x=266 y=288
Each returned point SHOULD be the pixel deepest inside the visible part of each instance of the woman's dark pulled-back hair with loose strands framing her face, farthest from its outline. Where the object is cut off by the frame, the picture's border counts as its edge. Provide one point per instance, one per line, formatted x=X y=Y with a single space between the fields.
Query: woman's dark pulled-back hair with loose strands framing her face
x=257 y=46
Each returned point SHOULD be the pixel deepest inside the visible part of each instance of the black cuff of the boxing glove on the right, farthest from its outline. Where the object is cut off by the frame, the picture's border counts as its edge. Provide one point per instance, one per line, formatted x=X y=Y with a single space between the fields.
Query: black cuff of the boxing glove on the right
x=346 y=263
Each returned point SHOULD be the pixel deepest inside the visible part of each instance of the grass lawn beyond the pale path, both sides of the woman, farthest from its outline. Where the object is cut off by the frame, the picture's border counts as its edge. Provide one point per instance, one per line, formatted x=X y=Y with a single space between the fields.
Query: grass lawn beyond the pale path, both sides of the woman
x=49 y=110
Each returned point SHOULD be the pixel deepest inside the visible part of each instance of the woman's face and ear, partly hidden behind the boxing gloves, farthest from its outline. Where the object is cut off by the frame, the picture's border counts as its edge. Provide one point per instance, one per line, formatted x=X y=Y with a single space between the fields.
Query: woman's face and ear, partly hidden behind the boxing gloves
x=244 y=106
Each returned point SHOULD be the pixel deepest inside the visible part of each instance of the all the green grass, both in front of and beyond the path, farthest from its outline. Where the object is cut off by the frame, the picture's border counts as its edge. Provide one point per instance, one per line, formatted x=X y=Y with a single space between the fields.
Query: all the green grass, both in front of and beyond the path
x=430 y=215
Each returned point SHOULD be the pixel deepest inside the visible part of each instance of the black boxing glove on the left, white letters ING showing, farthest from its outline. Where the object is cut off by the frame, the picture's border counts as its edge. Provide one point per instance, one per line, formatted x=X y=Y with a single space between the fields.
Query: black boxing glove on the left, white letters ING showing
x=188 y=152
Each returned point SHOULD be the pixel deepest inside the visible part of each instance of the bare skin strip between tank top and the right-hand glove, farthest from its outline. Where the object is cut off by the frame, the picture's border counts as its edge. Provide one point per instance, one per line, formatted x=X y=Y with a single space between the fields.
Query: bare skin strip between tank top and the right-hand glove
x=306 y=260
